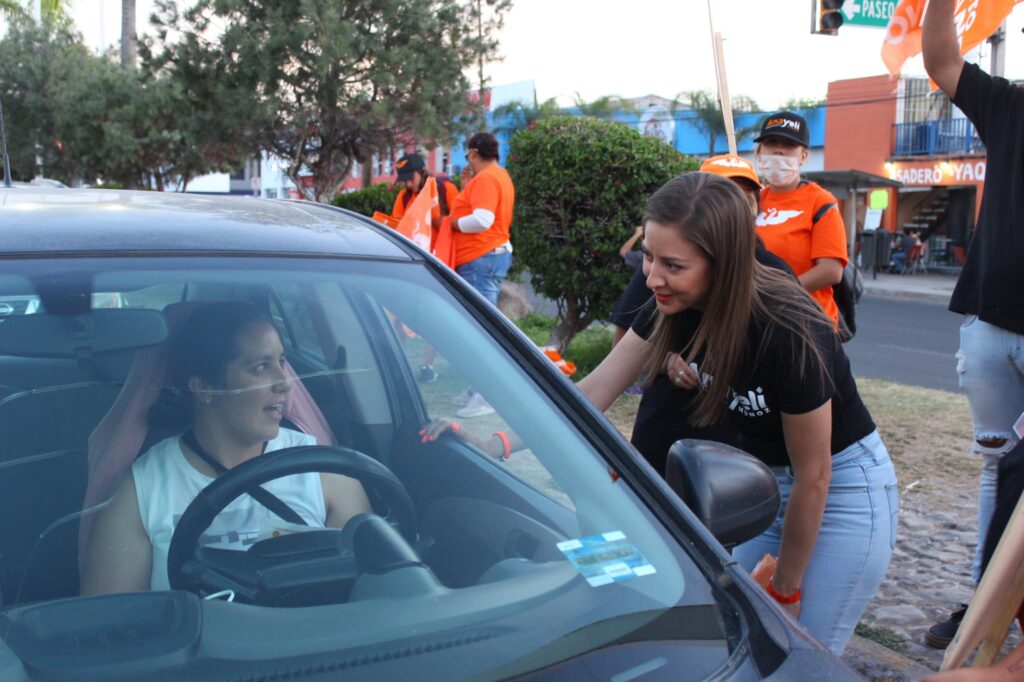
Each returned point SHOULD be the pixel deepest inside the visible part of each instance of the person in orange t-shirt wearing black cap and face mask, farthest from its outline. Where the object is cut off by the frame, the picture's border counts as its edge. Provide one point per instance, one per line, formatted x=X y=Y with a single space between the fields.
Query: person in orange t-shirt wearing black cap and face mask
x=799 y=221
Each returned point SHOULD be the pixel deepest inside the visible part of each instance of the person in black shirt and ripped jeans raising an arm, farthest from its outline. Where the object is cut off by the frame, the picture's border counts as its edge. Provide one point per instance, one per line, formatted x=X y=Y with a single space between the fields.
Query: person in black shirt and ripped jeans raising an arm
x=989 y=291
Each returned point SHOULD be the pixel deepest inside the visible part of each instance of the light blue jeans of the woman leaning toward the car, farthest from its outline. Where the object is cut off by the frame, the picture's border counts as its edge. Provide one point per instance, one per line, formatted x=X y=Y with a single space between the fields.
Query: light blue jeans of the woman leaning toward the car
x=856 y=543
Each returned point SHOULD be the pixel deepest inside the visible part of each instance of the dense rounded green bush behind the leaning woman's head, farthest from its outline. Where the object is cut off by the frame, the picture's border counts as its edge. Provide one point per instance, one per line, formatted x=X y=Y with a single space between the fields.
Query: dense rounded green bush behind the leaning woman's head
x=585 y=182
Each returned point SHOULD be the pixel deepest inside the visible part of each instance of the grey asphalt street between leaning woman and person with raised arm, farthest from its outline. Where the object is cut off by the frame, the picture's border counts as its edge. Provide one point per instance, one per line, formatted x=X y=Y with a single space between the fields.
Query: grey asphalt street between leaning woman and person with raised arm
x=907 y=342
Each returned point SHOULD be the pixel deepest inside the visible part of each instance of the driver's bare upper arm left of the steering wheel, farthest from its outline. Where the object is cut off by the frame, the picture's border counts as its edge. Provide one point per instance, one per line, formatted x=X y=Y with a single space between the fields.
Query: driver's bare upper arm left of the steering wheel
x=119 y=557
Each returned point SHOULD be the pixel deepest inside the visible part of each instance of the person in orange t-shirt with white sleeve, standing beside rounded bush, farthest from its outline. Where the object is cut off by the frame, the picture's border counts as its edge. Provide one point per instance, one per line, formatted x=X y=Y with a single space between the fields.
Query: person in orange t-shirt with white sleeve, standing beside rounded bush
x=482 y=219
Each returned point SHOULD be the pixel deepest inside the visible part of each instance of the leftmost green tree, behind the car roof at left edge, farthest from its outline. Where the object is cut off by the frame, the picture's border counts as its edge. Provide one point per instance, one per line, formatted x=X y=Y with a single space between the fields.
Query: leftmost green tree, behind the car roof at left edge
x=81 y=118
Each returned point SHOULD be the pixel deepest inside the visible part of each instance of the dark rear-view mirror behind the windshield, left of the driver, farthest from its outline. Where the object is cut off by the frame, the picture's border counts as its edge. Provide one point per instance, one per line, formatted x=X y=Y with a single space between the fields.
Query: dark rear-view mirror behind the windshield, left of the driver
x=77 y=336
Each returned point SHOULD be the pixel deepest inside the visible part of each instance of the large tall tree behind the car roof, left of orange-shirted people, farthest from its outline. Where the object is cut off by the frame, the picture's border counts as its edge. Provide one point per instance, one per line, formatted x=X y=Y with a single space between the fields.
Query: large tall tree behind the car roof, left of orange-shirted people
x=326 y=83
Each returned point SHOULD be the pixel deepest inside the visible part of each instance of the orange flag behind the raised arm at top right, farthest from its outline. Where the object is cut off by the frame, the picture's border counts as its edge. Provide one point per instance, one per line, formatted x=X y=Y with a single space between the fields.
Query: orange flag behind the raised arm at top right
x=975 y=21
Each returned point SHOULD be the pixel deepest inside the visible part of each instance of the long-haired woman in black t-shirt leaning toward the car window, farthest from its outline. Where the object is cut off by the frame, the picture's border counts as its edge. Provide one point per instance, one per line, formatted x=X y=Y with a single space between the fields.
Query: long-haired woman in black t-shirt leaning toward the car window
x=769 y=361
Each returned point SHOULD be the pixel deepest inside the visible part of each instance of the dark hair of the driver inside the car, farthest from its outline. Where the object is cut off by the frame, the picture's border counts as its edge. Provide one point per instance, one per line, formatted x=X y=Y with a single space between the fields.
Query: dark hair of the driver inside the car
x=203 y=346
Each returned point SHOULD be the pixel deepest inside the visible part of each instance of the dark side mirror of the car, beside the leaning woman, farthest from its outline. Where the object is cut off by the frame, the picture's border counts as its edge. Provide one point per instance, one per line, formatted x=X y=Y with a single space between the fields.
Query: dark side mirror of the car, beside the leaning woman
x=734 y=494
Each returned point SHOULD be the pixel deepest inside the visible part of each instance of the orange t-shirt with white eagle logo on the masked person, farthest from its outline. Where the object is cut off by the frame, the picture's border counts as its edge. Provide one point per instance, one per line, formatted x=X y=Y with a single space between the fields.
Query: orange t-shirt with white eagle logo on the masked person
x=800 y=227
